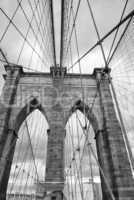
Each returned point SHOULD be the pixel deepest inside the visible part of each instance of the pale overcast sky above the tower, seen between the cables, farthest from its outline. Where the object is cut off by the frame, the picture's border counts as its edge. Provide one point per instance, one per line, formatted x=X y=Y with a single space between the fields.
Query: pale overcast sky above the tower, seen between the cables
x=107 y=14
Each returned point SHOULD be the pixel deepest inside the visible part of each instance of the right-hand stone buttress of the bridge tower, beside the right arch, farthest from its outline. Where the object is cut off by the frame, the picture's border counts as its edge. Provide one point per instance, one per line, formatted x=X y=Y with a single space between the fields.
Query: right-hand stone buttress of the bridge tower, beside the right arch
x=112 y=153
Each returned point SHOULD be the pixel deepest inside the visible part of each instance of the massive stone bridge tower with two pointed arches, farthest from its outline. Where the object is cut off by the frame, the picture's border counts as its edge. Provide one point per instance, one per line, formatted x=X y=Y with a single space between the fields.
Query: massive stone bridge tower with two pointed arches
x=57 y=95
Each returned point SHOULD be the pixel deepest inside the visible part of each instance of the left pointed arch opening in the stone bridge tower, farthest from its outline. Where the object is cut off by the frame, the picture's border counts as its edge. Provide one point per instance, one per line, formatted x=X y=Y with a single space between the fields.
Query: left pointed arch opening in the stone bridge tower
x=29 y=161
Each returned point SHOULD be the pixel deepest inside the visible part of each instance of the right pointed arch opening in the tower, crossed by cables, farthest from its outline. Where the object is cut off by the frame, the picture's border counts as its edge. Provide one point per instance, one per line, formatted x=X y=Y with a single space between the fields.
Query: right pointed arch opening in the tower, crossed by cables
x=81 y=168
